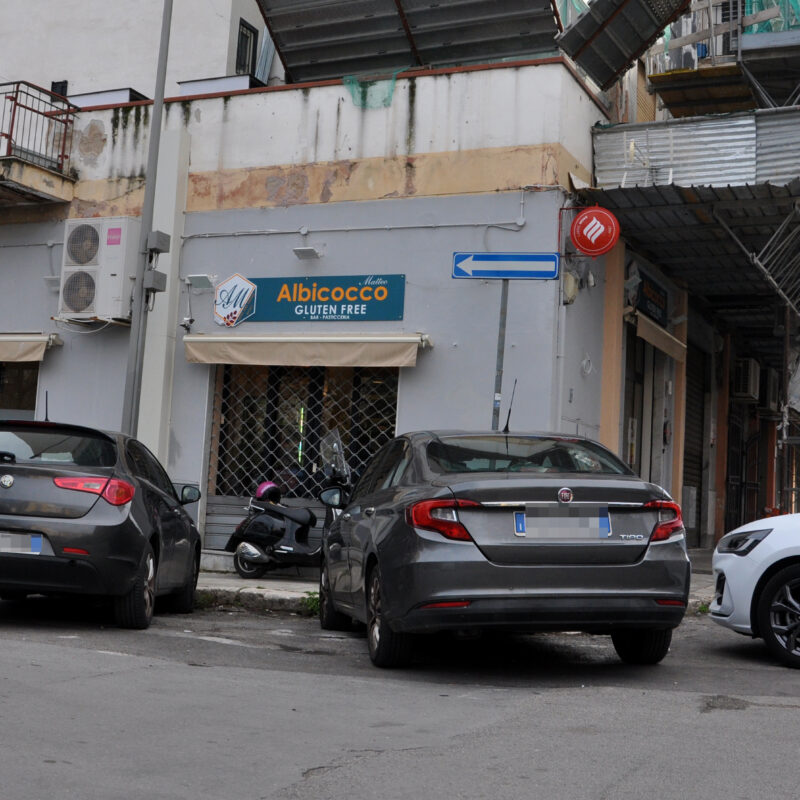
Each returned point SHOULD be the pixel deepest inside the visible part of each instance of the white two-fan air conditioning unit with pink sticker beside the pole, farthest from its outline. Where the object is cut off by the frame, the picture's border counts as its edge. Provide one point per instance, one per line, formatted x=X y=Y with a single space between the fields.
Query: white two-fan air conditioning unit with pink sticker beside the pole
x=97 y=268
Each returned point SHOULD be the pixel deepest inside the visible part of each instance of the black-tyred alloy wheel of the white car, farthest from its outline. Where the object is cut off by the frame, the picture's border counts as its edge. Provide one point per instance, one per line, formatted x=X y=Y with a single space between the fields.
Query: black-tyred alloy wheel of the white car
x=779 y=615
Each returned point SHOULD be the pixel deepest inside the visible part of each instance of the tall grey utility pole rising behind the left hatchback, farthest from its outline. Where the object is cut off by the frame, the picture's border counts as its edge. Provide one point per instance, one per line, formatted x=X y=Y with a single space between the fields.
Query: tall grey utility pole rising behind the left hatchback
x=133 y=376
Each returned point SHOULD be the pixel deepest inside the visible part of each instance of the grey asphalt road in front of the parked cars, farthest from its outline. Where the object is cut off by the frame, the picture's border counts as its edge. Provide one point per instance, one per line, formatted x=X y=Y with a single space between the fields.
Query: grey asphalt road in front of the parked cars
x=227 y=704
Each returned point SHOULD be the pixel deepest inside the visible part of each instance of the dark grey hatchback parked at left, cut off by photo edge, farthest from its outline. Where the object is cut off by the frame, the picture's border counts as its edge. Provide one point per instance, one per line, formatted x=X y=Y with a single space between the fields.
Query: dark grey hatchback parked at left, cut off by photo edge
x=90 y=512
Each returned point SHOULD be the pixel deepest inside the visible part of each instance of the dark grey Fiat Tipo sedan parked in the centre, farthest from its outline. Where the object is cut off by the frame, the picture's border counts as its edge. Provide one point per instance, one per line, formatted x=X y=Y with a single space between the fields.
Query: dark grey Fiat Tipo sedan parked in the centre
x=451 y=530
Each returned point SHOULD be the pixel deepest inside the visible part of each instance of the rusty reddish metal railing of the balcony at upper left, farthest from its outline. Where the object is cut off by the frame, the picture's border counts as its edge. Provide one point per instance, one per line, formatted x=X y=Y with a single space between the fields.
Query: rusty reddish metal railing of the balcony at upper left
x=35 y=125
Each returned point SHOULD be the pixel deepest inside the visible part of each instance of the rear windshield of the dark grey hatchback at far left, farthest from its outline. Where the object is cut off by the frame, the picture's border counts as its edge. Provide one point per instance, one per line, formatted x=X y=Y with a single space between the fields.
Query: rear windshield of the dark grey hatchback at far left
x=56 y=446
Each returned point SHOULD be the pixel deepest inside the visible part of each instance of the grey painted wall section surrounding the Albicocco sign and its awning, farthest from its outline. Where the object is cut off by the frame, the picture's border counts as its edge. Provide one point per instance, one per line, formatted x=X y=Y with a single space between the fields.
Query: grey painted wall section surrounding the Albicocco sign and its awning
x=453 y=383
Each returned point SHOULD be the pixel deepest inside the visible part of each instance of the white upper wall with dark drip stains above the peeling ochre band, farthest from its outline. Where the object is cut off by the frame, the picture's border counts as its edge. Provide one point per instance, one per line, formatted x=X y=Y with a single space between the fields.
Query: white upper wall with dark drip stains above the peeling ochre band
x=448 y=113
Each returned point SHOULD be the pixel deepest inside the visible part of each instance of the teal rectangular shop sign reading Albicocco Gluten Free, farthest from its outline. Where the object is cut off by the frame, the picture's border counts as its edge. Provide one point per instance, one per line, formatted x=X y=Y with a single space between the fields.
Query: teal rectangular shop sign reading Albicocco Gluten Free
x=343 y=298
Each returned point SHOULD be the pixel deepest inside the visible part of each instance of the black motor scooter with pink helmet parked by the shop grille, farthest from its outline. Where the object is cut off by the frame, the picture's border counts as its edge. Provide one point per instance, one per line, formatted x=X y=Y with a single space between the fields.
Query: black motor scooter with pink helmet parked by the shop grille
x=273 y=535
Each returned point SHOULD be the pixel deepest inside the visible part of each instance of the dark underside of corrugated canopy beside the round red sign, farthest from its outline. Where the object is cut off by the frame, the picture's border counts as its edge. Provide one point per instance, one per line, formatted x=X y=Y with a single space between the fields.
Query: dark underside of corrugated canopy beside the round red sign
x=736 y=249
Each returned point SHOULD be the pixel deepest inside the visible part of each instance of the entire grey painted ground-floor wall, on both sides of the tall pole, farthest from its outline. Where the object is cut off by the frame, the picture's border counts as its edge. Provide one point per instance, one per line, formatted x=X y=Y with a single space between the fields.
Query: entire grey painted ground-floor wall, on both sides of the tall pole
x=452 y=384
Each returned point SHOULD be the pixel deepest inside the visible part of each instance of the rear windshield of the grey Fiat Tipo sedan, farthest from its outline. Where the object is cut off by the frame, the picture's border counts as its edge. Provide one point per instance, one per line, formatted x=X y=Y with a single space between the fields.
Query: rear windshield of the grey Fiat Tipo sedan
x=524 y=454
